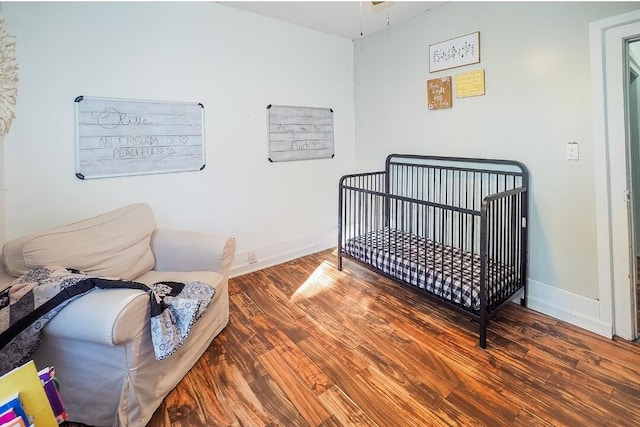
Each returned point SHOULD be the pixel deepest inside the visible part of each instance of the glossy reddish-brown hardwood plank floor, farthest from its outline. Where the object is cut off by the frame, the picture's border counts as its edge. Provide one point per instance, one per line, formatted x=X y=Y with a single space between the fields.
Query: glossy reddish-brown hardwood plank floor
x=308 y=345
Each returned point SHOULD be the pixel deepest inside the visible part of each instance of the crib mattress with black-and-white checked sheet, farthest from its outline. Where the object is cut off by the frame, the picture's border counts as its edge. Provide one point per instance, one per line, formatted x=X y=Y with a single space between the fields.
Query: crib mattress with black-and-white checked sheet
x=447 y=272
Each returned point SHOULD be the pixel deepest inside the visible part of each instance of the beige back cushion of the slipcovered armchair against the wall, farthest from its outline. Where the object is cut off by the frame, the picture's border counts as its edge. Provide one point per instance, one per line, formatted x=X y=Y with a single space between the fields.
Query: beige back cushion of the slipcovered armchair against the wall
x=114 y=244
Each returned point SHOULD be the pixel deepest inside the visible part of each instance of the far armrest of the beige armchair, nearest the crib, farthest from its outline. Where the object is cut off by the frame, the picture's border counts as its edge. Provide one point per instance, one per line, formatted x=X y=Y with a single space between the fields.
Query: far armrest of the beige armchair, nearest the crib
x=177 y=250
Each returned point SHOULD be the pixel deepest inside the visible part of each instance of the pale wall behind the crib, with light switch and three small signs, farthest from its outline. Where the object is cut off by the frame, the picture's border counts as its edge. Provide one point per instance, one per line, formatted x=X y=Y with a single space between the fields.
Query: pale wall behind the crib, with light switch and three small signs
x=536 y=61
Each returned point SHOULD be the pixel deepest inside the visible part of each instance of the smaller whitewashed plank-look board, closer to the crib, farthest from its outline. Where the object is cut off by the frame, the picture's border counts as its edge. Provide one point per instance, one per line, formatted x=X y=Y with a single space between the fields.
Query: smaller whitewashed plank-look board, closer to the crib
x=299 y=133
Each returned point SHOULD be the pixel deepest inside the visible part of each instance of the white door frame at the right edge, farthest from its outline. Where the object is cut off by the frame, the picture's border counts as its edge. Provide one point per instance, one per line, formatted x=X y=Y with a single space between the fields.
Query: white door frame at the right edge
x=613 y=225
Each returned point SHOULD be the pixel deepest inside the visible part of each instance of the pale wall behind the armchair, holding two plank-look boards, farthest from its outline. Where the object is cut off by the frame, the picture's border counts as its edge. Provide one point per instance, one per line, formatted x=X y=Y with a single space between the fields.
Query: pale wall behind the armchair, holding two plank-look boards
x=233 y=62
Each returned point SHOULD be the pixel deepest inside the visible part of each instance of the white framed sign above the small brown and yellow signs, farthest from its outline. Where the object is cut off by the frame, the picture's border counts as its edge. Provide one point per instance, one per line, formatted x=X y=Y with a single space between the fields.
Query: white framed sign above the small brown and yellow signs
x=463 y=50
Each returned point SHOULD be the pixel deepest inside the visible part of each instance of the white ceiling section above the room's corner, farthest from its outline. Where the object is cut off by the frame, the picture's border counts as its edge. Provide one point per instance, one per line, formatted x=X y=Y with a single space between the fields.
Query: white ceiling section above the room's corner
x=339 y=18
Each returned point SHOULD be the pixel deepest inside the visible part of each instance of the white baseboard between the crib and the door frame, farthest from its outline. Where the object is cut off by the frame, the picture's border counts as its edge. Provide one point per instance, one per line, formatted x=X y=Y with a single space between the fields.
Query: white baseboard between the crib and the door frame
x=569 y=307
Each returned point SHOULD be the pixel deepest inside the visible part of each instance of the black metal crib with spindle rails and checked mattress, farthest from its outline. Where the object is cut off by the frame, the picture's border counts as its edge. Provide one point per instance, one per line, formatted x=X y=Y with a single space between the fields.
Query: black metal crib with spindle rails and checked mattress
x=453 y=228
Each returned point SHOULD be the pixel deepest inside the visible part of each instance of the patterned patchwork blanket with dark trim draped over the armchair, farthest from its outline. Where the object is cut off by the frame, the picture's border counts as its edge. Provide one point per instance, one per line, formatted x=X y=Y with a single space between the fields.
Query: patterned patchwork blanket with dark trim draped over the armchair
x=36 y=297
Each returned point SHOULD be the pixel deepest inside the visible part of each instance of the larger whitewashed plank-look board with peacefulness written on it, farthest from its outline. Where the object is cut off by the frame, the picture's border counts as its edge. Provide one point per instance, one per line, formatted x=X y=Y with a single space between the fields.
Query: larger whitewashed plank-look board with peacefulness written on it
x=119 y=137
